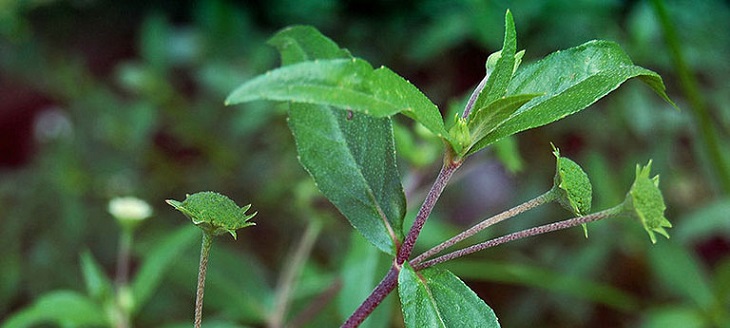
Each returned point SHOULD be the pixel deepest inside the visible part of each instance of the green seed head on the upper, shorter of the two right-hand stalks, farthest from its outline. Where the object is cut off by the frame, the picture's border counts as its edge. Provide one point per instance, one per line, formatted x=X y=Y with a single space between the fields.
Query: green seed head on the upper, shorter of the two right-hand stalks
x=575 y=188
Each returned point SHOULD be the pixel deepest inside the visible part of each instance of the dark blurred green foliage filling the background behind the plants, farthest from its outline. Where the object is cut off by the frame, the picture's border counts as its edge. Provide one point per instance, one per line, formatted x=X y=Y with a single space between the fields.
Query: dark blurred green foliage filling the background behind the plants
x=100 y=99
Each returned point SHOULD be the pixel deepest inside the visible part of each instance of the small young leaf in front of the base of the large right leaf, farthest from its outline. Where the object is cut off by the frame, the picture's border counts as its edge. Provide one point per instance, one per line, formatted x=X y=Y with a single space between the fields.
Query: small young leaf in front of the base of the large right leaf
x=487 y=119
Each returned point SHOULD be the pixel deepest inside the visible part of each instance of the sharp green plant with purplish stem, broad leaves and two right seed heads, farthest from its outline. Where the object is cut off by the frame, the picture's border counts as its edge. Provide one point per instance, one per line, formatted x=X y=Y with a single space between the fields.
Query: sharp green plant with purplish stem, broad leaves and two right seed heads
x=340 y=111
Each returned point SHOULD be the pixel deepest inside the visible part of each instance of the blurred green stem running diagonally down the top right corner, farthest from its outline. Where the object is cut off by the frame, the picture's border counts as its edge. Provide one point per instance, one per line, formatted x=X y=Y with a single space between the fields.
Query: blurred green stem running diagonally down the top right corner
x=688 y=82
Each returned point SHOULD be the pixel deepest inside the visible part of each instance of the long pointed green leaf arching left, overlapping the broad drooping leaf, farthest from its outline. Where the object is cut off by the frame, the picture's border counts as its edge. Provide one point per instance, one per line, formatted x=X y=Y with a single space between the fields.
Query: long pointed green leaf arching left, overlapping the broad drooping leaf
x=350 y=84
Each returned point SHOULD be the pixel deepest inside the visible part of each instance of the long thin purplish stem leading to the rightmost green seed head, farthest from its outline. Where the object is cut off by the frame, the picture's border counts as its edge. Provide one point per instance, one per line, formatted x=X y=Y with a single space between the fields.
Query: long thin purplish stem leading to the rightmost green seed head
x=560 y=225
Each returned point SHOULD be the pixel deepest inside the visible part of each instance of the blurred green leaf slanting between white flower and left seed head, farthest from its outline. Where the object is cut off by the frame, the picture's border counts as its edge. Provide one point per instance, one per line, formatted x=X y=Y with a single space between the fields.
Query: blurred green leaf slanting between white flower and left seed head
x=158 y=260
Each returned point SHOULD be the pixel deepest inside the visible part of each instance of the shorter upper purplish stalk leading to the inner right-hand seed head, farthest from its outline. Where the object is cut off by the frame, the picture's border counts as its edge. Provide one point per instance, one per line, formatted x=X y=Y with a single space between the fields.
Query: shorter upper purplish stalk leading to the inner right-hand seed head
x=528 y=205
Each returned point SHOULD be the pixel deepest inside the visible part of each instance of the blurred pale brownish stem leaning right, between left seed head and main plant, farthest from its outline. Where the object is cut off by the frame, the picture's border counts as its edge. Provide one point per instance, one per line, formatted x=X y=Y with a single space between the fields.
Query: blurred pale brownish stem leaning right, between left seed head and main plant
x=292 y=270
